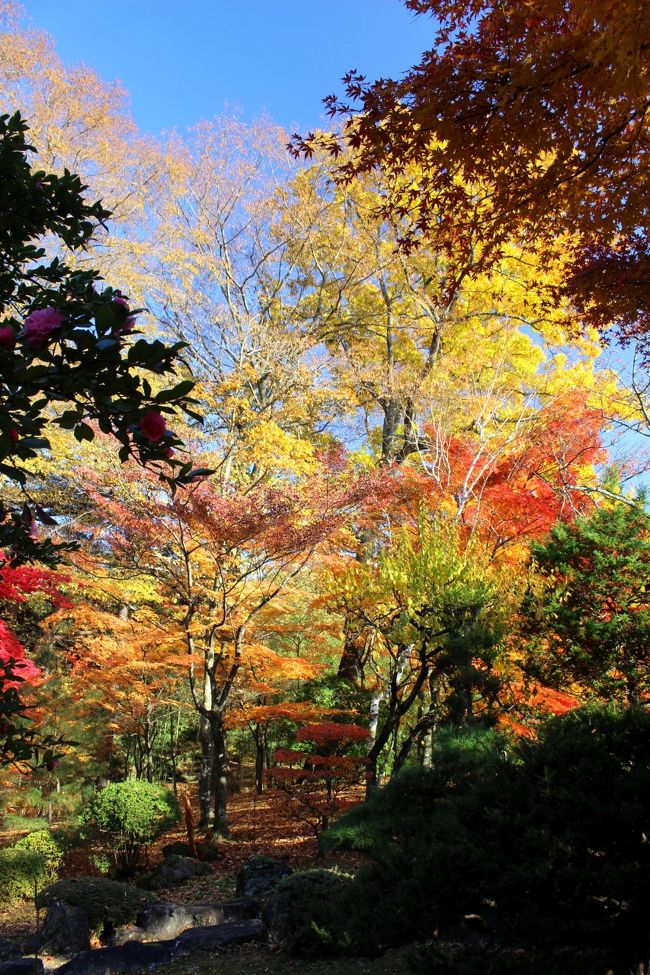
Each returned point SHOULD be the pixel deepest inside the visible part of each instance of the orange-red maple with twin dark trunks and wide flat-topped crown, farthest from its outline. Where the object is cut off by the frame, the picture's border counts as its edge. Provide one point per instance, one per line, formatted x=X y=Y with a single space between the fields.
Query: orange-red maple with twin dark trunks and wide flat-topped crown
x=217 y=562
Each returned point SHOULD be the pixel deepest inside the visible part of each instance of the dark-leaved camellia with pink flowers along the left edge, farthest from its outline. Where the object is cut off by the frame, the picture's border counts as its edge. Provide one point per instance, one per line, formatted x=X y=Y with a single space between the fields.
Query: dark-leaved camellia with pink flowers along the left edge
x=70 y=356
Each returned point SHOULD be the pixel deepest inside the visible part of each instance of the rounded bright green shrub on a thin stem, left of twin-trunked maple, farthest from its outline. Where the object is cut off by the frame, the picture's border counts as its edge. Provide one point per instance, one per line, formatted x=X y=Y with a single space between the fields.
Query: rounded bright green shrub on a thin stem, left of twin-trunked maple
x=125 y=816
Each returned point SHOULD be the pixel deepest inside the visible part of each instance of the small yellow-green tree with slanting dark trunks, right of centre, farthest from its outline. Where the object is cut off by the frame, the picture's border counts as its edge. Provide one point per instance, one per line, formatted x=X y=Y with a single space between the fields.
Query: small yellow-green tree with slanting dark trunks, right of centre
x=427 y=626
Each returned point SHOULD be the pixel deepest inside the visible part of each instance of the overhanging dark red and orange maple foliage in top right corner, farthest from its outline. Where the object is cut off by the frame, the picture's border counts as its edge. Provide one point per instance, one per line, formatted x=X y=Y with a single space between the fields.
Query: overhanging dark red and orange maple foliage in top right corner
x=525 y=121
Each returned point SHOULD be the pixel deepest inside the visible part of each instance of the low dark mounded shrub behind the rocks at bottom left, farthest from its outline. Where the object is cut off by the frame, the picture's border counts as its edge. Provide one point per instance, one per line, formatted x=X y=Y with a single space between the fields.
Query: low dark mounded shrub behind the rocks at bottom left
x=105 y=902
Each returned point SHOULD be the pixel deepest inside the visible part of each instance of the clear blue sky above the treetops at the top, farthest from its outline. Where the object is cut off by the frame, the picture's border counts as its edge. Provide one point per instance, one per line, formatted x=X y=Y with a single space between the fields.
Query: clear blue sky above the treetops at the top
x=184 y=60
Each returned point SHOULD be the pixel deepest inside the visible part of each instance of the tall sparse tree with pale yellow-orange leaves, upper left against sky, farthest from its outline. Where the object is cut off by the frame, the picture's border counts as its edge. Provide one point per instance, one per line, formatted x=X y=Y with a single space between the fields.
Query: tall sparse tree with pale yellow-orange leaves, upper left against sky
x=195 y=241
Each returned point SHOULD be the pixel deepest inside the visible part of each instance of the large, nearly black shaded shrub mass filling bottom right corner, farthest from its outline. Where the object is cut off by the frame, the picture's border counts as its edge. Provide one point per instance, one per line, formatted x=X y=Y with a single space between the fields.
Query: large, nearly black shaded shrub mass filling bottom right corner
x=554 y=841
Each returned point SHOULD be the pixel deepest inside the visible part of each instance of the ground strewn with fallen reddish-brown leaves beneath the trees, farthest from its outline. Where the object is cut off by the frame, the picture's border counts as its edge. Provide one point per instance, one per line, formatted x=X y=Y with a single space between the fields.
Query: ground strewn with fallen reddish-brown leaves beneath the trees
x=259 y=825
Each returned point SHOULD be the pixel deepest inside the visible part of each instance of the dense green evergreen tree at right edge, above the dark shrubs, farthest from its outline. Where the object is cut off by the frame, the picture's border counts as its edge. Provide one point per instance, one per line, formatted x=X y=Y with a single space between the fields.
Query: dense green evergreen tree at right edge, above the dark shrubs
x=590 y=622
